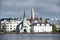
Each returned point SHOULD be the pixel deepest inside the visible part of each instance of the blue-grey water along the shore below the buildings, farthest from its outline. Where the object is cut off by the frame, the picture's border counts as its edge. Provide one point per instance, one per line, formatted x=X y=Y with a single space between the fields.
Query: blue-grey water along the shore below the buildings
x=30 y=37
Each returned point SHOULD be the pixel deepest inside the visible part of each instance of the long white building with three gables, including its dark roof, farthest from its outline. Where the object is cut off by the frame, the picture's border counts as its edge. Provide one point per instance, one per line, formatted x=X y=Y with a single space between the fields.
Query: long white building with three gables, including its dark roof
x=37 y=27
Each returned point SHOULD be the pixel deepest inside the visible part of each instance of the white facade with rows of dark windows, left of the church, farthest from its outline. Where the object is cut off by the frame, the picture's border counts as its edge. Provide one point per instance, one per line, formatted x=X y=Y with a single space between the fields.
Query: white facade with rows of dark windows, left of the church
x=10 y=25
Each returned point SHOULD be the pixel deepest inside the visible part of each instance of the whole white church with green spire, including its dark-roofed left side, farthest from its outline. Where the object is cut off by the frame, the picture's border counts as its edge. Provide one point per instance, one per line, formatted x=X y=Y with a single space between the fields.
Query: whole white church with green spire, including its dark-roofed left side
x=24 y=25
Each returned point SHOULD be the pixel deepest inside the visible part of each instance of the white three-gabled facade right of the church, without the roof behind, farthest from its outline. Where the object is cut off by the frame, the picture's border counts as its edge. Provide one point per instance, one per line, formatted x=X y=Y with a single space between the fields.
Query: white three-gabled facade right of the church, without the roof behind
x=42 y=28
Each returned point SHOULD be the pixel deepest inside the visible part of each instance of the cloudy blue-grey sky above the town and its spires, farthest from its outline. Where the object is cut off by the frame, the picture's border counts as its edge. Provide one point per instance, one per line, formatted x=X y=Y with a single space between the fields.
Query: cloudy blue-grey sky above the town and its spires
x=42 y=8
